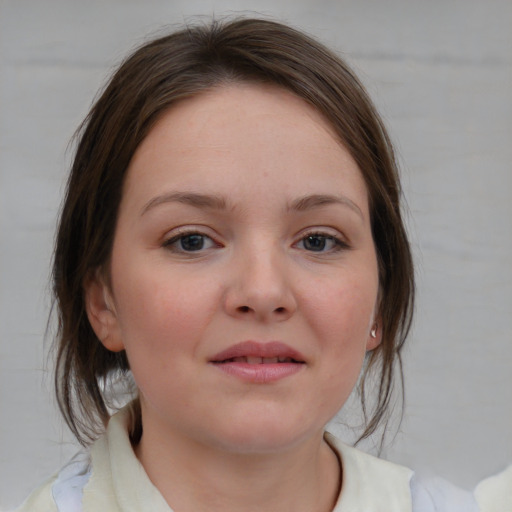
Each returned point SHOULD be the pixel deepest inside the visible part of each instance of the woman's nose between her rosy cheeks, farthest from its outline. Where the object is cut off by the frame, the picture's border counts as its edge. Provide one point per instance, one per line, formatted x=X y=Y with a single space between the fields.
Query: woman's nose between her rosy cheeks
x=260 y=287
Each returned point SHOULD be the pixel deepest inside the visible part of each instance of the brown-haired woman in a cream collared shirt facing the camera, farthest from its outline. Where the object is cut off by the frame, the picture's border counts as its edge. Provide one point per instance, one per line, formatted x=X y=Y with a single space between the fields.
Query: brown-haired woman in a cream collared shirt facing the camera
x=231 y=238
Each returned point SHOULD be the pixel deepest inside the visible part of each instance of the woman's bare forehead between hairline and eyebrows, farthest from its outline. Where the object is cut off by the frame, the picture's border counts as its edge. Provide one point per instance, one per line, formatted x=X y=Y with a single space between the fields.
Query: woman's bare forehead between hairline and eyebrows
x=243 y=135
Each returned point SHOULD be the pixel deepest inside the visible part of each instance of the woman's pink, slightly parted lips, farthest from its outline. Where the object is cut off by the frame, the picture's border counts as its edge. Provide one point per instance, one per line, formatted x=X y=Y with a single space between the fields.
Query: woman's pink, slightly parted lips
x=232 y=361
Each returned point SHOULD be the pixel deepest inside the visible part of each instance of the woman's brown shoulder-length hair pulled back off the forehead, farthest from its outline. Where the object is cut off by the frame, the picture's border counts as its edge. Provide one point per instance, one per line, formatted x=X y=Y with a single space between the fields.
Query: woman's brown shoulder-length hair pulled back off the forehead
x=157 y=75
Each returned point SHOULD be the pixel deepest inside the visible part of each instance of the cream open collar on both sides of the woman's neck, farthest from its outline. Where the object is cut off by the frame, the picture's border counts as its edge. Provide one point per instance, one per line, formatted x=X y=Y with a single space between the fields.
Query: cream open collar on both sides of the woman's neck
x=119 y=482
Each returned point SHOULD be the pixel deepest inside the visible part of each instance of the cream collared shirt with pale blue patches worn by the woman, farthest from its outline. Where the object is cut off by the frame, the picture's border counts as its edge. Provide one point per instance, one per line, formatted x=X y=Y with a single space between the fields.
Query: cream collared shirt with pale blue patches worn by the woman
x=110 y=478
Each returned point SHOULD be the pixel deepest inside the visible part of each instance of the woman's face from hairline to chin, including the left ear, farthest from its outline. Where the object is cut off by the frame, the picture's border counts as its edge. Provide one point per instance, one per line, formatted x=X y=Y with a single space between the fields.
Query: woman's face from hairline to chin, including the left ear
x=243 y=279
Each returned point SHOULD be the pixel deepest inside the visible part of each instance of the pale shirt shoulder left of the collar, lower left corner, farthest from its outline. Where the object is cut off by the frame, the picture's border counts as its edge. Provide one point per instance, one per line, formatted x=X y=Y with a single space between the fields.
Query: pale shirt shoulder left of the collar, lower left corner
x=63 y=491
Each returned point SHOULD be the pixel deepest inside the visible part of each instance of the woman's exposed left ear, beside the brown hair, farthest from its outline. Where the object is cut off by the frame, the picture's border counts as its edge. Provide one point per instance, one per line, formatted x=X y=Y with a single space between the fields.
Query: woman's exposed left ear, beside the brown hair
x=101 y=312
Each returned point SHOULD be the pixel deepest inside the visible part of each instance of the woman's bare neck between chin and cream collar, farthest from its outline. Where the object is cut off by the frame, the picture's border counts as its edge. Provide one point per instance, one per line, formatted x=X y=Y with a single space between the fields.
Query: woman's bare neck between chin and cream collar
x=194 y=477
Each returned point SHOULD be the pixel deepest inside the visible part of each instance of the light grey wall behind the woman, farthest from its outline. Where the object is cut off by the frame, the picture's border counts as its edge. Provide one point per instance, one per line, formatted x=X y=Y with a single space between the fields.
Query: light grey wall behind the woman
x=441 y=74
